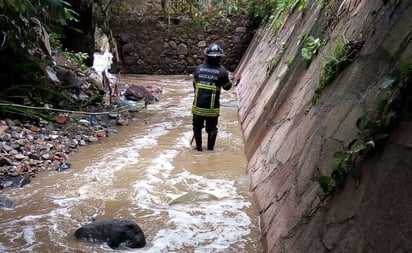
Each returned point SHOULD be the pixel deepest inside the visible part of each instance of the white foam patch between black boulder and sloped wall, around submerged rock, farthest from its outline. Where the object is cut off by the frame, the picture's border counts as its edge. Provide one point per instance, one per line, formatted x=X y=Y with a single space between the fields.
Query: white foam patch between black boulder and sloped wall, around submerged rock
x=212 y=226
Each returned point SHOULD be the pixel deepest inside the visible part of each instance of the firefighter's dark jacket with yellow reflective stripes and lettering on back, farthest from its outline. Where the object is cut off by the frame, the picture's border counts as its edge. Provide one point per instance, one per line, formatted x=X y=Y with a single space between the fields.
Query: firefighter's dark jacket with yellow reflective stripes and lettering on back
x=208 y=81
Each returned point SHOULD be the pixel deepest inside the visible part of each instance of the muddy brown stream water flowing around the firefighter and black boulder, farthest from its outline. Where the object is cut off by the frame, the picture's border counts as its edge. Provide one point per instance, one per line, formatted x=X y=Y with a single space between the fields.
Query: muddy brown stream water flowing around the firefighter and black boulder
x=135 y=174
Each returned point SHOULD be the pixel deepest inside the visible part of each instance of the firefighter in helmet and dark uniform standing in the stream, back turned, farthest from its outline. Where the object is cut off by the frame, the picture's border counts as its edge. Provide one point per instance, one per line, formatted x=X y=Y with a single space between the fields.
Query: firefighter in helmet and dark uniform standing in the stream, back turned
x=208 y=80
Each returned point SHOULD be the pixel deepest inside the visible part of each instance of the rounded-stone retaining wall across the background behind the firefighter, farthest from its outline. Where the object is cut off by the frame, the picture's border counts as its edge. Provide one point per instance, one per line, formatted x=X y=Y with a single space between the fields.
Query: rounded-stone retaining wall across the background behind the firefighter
x=152 y=46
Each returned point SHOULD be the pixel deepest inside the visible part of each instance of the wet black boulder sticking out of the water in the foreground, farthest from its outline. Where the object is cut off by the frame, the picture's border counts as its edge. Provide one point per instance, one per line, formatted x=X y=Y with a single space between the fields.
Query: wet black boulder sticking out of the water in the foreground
x=117 y=233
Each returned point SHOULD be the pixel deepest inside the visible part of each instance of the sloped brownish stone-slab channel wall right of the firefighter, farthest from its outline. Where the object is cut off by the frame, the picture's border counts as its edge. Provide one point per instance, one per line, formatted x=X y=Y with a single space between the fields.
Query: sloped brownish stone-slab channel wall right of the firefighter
x=290 y=141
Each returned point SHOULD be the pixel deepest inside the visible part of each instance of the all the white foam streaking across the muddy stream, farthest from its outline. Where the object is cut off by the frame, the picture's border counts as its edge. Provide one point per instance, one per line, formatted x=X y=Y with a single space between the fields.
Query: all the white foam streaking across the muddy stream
x=205 y=226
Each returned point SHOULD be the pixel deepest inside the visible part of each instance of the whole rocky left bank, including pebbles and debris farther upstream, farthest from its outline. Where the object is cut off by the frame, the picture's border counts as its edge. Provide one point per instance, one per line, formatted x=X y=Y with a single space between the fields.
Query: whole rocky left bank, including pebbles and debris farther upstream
x=32 y=146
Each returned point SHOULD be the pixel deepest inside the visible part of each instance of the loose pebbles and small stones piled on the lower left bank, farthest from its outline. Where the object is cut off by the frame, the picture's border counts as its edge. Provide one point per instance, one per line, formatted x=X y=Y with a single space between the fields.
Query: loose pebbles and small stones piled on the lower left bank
x=28 y=148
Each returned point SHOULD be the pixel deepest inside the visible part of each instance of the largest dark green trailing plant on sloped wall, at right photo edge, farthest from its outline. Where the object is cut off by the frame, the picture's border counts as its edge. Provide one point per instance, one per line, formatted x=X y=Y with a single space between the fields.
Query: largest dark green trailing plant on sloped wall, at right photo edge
x=374 y=127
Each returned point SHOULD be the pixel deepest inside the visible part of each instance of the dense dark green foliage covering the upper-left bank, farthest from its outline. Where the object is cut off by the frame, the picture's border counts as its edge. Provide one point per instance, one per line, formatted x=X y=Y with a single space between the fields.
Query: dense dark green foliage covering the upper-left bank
x=30 y=38
